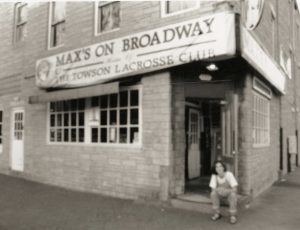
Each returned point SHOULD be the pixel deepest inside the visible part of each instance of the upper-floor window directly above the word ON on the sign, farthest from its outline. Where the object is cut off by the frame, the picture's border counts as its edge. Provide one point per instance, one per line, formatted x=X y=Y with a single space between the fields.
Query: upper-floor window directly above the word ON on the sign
x=107 y=16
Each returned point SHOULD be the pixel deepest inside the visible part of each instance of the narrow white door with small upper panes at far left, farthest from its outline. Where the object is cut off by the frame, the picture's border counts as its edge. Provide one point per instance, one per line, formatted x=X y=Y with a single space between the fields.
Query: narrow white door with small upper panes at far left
x=17 y=142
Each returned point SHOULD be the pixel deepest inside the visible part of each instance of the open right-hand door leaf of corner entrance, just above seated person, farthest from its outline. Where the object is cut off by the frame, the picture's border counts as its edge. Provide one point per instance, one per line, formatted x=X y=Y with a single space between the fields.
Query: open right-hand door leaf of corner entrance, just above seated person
x=230 y=132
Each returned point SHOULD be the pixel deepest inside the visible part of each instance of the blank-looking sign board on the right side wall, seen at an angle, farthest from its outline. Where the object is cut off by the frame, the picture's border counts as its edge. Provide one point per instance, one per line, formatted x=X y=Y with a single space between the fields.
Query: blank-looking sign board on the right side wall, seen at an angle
x=259 y=58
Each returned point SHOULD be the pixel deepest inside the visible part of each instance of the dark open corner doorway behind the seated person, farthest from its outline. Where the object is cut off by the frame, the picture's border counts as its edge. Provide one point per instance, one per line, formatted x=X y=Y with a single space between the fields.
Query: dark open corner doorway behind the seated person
x=211 y=134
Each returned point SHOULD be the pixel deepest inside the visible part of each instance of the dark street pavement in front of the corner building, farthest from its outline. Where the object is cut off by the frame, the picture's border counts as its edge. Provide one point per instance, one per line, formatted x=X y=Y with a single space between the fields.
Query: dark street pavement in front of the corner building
x=26 y=205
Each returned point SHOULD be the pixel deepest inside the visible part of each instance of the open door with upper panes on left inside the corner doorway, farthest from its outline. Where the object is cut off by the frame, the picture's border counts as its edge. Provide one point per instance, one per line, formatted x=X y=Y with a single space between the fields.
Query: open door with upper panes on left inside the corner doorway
x=193 y=144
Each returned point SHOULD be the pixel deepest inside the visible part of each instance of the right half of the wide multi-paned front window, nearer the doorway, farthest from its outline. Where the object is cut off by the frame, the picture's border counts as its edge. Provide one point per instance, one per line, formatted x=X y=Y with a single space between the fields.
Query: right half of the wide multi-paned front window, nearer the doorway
x=119 y=118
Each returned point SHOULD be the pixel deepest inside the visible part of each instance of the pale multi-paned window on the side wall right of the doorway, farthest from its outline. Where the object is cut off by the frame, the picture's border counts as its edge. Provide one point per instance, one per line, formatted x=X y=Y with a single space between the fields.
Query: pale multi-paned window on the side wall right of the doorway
x=261 y=120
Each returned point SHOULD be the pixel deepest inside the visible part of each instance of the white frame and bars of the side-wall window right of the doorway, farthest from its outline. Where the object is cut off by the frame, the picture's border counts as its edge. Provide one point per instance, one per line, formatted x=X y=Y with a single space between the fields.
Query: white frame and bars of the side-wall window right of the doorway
x=263 y=98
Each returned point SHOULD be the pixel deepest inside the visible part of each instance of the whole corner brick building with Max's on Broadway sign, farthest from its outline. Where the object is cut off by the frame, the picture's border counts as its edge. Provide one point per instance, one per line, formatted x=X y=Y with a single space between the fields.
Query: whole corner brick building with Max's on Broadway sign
x=137 y=99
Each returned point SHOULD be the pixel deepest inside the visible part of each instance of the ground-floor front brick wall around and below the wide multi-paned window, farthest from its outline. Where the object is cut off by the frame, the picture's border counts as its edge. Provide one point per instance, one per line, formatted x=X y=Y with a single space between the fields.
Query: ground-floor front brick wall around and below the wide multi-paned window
x=133 y=172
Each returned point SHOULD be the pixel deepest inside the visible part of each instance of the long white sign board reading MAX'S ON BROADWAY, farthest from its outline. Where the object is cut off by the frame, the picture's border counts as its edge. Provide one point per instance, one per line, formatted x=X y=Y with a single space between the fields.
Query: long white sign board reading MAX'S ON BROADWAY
x=210 y=37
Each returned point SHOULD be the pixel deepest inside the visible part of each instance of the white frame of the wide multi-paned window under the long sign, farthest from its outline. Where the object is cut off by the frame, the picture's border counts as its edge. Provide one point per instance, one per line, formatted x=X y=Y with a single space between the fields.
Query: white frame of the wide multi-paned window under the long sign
x=88 y=127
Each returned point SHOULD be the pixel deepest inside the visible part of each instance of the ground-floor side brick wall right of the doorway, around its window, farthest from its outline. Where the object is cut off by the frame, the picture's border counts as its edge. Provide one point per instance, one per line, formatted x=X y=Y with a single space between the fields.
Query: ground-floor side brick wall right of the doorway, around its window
x=258 y=166
